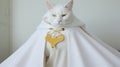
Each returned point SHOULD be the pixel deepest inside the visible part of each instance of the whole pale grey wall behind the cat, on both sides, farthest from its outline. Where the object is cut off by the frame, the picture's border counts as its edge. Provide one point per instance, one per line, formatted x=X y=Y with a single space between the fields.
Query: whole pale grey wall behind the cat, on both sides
x=100 y=16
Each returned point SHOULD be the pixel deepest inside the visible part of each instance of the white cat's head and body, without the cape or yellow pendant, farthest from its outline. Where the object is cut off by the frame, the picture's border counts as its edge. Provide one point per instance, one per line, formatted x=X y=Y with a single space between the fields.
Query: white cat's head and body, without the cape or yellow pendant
x=58 y=16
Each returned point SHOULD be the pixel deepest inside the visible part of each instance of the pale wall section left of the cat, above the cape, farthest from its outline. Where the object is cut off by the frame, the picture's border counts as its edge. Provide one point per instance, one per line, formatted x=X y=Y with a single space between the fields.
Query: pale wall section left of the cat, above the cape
x=27 y=14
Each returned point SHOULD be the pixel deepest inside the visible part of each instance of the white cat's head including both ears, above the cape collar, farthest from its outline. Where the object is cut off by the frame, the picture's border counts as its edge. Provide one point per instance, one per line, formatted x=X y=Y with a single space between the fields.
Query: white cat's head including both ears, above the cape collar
x=59 y=15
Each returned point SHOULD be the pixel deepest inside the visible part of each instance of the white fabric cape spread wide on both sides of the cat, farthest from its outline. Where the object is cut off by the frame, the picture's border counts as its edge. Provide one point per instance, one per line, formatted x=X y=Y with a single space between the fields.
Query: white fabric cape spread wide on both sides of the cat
x=84 y=50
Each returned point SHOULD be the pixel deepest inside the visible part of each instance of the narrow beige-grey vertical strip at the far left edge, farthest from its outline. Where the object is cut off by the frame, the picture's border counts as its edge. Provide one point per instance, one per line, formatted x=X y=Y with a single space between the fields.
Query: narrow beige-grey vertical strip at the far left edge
x=4 y=29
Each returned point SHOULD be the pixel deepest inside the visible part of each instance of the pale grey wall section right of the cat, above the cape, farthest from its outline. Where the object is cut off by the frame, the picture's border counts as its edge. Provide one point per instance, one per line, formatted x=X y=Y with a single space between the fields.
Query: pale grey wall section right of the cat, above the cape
x=103 y=19
